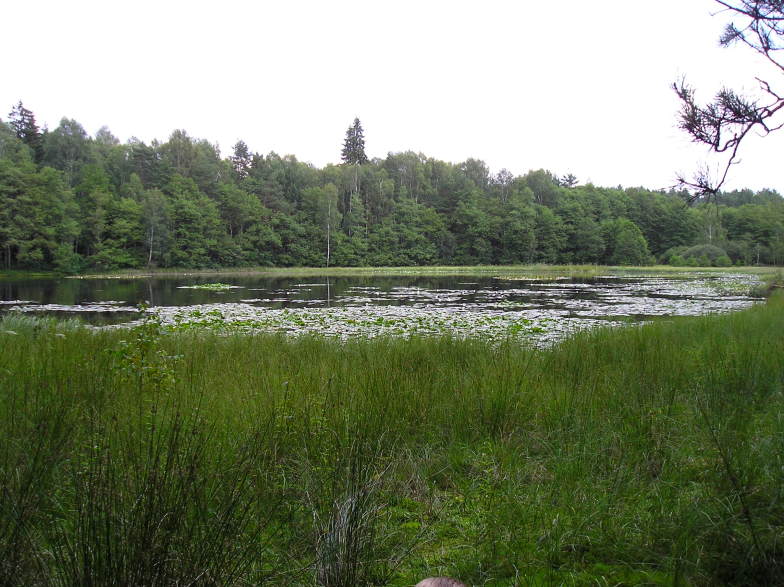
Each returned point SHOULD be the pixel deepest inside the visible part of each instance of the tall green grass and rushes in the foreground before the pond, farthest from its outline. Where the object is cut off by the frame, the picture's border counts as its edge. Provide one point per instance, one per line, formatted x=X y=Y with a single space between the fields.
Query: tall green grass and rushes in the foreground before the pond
x=642 y=455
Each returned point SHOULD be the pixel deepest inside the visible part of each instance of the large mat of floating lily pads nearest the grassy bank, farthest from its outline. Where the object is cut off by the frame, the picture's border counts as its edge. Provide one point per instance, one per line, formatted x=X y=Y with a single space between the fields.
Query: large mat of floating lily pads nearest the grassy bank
x=534 y=312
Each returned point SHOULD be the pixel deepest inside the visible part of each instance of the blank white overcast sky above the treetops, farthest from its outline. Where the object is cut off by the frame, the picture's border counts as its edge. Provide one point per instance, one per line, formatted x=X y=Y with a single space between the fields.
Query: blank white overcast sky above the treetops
x=571 y=86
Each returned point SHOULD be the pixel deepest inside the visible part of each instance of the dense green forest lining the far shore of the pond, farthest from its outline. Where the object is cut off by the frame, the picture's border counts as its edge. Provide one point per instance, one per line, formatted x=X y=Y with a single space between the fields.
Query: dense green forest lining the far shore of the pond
x=72 y=202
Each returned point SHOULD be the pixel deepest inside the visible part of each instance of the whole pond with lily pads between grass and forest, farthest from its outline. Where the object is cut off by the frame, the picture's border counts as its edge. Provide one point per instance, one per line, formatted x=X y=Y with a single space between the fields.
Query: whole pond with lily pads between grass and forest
x=539 y=310
